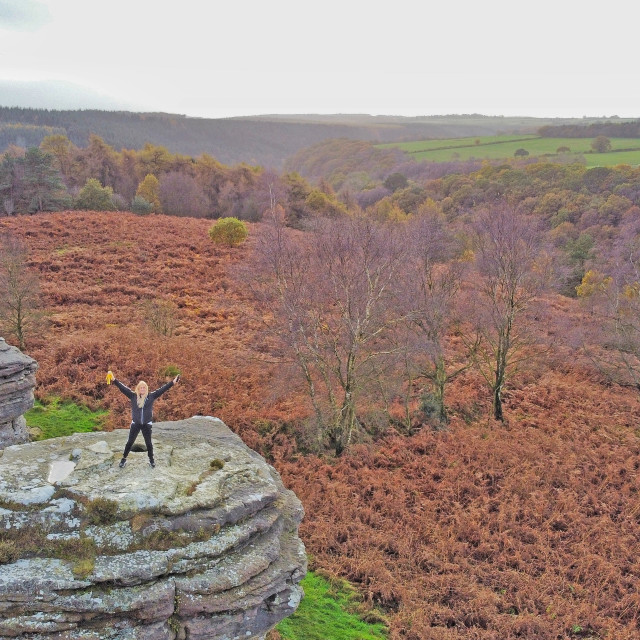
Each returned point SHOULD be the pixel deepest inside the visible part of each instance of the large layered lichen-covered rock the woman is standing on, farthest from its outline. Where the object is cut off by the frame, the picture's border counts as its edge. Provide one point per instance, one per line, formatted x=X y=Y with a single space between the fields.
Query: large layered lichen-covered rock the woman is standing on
x=203 y=546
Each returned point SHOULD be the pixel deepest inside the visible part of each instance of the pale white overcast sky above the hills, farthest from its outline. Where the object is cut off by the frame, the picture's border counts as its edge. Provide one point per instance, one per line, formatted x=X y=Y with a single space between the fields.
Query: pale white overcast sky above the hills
x=404 y=57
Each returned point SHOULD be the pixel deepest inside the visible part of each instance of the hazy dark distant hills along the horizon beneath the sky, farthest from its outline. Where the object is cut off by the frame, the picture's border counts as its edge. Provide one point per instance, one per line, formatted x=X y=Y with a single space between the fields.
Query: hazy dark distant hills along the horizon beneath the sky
x=258 y=140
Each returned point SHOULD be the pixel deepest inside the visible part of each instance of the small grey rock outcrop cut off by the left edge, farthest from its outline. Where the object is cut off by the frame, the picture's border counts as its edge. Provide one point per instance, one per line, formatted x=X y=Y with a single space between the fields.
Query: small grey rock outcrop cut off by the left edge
x=17 y=381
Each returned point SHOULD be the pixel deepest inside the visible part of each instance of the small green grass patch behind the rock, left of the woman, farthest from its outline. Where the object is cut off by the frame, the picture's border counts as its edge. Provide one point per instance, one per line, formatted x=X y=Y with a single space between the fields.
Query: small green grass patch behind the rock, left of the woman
x=55 y=417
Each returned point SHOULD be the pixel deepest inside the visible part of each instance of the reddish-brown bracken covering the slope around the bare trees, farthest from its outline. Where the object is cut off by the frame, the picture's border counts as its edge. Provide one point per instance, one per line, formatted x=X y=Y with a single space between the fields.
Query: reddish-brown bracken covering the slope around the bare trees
x=487 y=531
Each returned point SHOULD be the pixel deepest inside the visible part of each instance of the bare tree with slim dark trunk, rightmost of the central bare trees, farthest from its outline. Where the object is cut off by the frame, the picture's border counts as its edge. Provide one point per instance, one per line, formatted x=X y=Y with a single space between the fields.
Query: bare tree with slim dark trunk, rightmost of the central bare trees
x=511 y=271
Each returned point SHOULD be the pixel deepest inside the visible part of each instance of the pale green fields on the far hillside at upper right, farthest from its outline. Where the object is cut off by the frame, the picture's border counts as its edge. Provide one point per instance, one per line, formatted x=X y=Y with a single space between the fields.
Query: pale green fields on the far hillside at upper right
x=624 y=150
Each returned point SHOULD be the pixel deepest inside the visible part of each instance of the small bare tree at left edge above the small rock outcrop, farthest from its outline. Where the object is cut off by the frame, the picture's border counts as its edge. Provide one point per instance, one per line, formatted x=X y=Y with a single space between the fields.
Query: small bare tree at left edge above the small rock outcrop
x=20 y=312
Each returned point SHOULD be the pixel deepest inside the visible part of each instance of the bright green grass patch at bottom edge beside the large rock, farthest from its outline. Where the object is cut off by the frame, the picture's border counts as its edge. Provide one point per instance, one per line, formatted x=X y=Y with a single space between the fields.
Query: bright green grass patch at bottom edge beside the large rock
x=329 y=611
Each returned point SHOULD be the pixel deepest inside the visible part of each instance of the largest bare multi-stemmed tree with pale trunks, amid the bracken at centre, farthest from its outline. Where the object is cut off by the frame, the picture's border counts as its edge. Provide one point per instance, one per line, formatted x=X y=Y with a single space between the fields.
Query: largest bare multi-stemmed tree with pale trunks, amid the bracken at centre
x=335 y=308
